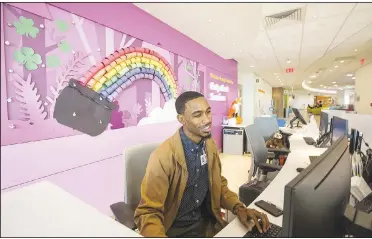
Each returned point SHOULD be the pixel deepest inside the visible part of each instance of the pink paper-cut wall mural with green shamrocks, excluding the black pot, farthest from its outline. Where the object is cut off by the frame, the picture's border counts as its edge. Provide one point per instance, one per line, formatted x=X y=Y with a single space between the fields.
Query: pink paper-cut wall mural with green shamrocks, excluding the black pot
x=43 y=55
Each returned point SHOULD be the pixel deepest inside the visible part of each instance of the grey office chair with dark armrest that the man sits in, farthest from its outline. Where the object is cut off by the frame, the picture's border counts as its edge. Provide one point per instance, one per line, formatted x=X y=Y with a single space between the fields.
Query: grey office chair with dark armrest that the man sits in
x=135 y=163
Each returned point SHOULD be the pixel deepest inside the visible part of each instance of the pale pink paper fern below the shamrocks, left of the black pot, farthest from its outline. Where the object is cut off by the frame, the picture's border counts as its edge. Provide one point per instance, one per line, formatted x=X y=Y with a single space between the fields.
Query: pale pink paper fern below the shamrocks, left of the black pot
x=32 y=108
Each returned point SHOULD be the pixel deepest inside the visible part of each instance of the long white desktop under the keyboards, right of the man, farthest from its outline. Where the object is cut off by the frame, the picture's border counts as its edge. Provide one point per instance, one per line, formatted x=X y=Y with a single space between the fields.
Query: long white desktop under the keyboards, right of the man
x=274 y=193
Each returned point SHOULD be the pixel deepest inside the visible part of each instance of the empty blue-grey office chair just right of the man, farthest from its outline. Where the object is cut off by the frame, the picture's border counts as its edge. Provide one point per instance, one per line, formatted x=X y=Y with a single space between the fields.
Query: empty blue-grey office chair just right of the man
x=260 y=154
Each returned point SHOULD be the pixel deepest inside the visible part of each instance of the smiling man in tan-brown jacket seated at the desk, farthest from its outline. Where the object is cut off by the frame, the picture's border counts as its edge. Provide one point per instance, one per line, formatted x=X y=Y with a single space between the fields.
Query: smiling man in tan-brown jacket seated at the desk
x=183 y=190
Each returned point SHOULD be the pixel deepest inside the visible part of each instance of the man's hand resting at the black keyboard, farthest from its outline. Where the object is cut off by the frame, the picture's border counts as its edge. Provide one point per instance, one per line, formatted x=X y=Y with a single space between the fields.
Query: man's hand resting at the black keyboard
x=246 y=214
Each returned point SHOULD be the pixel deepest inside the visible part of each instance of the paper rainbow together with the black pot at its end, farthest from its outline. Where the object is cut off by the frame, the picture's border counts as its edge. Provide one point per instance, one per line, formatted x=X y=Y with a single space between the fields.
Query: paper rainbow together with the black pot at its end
x=86 y=104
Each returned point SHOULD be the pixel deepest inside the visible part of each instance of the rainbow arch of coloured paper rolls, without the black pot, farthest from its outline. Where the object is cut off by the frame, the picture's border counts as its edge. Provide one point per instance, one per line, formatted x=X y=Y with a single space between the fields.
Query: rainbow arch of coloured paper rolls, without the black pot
x=123 y=67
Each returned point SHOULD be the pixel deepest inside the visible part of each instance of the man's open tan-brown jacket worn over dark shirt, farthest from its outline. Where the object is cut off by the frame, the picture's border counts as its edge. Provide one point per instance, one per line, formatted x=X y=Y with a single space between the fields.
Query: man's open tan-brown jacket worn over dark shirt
x=164 y=184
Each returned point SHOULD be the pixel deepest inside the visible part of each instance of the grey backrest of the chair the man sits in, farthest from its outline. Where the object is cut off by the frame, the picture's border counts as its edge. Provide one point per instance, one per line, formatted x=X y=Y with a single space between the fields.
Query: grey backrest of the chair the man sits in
x=135 y=163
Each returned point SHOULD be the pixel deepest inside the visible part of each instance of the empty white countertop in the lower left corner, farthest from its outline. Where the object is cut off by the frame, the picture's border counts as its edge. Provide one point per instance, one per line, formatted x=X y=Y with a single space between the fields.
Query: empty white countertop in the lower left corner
x=45 y=210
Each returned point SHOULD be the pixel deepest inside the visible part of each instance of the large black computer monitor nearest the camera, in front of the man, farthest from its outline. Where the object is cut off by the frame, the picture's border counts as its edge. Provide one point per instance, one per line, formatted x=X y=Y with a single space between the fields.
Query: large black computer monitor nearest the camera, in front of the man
x=315 y=200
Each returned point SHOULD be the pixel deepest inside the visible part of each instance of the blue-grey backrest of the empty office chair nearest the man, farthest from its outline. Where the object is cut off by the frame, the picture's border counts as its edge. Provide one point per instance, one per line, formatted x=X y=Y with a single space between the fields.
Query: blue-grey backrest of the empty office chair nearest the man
x=257 y=147
